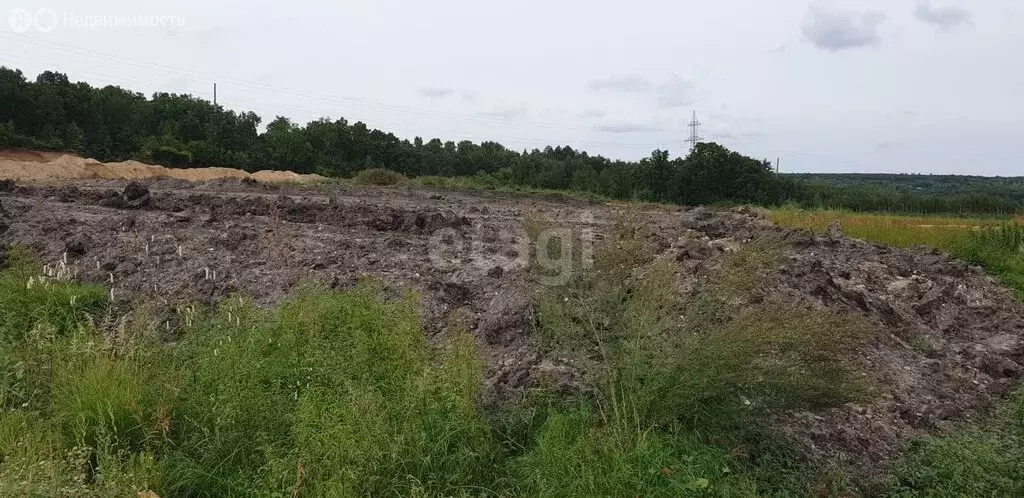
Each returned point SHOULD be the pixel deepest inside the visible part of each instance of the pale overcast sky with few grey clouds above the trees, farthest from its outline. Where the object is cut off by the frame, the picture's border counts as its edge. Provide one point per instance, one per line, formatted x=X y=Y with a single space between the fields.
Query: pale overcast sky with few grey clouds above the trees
x=908 y=87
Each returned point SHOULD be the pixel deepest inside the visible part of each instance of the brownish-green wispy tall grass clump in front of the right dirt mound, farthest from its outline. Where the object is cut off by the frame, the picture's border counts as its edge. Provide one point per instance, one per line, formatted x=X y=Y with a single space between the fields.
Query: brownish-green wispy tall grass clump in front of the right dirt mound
x=671 y=357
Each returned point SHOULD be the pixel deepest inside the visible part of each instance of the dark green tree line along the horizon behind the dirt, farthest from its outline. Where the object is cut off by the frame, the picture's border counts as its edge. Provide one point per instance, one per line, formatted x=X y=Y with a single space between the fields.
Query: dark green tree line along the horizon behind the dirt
x=114 y=124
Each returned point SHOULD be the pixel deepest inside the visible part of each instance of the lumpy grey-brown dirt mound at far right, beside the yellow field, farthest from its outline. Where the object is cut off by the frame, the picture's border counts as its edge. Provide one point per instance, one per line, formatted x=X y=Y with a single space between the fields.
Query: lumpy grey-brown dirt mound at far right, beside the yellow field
x=954 y=344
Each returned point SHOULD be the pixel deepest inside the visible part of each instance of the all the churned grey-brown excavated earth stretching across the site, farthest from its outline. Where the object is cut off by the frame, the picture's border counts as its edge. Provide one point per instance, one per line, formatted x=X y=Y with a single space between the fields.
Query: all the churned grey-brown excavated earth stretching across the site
x=952 y=343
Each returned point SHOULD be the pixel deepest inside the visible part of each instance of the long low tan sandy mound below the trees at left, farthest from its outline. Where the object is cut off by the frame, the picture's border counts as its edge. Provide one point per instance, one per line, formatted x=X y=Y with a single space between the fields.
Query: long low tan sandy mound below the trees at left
x=28 y=165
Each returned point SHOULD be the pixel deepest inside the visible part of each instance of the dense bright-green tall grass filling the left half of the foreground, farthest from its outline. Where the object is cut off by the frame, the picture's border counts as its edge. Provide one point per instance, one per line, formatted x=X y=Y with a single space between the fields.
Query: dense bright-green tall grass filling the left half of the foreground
x=332 y=394
